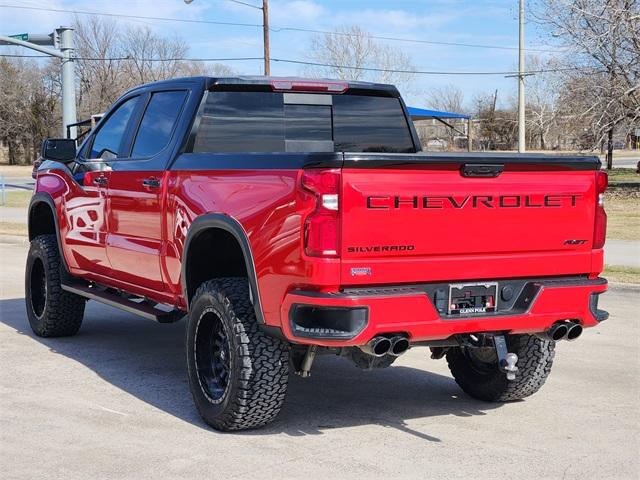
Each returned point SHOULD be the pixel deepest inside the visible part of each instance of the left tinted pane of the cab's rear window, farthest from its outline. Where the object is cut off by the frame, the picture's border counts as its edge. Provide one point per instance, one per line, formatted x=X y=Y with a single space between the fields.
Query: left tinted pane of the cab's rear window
x=241 y=122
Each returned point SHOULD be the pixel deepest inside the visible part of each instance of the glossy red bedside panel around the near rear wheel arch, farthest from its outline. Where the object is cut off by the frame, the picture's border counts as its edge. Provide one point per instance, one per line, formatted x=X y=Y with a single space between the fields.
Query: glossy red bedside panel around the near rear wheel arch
x=269 y=207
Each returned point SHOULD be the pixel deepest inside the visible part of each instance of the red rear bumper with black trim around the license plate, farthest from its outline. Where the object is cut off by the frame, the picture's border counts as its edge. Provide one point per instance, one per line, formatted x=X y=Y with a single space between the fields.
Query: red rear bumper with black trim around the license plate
x=354 y=316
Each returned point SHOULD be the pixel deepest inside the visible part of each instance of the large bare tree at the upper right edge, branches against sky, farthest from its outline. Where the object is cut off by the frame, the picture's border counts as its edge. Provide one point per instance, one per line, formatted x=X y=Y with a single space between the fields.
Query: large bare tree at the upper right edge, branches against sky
x=603 y=40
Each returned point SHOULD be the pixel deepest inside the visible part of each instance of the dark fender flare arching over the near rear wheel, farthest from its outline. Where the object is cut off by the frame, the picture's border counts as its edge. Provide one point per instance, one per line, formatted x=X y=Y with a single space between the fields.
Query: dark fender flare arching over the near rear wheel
x=232 y=226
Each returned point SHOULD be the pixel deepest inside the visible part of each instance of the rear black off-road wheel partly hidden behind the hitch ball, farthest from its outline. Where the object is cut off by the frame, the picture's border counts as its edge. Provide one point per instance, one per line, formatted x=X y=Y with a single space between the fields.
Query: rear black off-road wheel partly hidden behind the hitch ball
x=476 y=369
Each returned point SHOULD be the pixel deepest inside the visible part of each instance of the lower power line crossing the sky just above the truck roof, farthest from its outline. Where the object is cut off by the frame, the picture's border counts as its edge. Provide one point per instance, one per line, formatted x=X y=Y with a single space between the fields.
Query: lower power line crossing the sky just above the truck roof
x=317 y=64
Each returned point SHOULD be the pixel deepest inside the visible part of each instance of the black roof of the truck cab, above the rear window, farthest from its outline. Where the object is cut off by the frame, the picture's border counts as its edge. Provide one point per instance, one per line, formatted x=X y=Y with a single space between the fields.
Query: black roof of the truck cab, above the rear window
x=253 y=82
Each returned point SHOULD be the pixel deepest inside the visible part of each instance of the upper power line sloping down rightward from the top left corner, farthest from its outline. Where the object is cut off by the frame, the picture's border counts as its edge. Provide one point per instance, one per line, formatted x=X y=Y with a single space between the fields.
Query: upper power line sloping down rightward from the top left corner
x=275 y=29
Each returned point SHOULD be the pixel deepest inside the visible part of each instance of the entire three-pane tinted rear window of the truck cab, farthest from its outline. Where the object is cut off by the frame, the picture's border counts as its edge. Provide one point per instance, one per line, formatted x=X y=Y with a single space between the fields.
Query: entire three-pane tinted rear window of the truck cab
x=277 y=122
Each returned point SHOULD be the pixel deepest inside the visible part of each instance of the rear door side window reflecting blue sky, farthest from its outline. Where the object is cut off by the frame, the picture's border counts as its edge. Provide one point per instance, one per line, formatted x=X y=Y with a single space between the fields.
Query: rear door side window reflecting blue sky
x=158 y=122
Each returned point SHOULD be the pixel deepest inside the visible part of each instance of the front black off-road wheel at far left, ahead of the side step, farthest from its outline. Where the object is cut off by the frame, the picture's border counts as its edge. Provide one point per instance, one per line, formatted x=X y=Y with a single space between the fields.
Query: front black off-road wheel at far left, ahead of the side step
x=52 y=312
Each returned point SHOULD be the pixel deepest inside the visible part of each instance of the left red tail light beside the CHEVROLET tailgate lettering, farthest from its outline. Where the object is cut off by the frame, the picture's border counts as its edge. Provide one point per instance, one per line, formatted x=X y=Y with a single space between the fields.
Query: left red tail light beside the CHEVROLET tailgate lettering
x=322 y=227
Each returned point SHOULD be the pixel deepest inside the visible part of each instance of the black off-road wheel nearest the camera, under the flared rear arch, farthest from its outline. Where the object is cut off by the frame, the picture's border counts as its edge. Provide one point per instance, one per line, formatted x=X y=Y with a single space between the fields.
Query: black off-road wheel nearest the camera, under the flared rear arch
x=237 y=374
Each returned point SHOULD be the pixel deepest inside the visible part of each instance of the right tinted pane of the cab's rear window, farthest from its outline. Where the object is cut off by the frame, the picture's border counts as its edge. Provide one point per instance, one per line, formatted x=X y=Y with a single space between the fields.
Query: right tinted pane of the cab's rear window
x=370 y=124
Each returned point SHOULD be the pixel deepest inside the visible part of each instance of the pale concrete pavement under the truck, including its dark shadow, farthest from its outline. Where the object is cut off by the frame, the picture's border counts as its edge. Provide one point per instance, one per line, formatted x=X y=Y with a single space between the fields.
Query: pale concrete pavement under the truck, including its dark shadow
x=113 y=402
